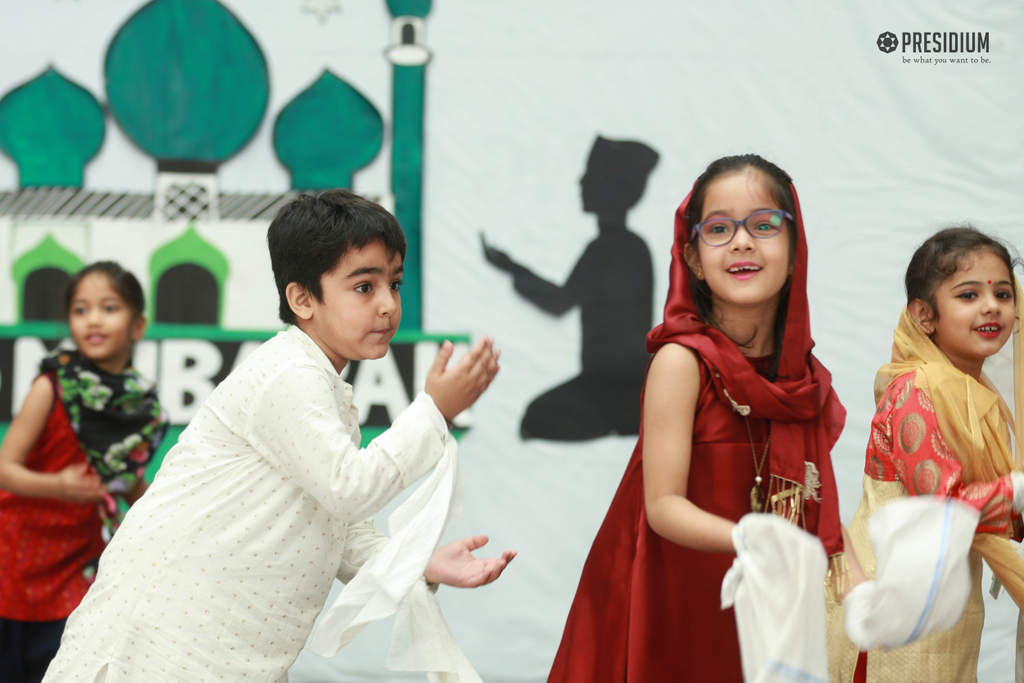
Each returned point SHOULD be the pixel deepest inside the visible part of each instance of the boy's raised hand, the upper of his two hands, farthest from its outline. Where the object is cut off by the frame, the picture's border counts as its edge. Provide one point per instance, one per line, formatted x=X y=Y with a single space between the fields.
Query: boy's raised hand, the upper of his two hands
x=456 y=390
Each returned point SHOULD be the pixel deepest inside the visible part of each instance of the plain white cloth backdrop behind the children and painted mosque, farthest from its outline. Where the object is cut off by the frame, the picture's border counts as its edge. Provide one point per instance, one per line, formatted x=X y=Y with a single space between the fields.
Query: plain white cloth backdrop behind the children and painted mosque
x=884 y=152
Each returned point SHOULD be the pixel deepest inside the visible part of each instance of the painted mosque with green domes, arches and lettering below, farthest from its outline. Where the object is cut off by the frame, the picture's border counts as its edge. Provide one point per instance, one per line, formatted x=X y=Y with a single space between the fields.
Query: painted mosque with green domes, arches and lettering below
x=188 y=83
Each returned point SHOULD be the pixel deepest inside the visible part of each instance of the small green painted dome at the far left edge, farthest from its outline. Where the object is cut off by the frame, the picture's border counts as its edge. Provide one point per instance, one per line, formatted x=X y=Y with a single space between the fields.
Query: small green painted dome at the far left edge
x=52 y=129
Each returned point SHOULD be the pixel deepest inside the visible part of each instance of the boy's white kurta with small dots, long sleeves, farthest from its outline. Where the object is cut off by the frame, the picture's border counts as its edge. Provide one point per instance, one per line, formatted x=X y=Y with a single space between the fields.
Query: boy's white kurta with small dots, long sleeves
x=220 y=572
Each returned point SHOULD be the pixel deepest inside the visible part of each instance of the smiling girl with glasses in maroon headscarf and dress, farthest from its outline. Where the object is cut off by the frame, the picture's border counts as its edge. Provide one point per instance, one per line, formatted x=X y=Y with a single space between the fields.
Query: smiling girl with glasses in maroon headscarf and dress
x=738 y=417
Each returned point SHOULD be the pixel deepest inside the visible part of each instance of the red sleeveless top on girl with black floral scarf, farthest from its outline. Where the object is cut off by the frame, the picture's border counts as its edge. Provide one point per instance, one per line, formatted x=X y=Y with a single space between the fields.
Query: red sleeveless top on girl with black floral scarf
x=46 y=544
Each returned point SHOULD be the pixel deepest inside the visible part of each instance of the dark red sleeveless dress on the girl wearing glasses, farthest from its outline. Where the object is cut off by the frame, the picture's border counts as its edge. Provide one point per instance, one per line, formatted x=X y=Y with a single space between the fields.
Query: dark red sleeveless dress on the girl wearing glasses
x=648 y=610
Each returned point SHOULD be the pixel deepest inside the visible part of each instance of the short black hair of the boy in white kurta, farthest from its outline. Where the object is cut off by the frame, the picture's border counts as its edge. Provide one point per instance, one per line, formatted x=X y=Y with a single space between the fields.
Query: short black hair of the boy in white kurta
x=313 y=232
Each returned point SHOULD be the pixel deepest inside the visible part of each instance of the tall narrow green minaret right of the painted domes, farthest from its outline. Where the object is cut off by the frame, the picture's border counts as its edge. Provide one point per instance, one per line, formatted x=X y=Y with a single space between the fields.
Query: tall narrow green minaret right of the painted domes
x=410 y=59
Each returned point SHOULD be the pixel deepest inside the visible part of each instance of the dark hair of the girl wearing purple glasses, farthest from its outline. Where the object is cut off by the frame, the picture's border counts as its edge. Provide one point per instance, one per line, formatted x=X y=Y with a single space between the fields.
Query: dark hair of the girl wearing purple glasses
x=778 y=183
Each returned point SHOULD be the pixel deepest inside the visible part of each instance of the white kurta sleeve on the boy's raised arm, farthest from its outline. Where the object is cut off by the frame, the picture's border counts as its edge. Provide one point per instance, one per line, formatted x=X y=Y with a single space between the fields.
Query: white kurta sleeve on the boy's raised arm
x=298 y=425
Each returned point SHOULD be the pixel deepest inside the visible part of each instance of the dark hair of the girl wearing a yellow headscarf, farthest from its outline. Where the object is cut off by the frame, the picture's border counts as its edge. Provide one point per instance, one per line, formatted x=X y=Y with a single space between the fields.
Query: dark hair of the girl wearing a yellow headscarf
x=942 y=257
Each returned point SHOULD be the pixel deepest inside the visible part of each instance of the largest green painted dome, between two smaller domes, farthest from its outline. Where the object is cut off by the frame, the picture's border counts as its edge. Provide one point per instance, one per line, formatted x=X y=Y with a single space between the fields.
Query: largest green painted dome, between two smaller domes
x=187 y=81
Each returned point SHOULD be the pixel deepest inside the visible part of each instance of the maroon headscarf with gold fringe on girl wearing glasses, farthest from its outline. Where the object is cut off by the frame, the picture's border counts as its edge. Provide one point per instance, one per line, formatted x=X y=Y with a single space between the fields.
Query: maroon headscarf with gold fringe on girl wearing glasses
x=805 y=413
